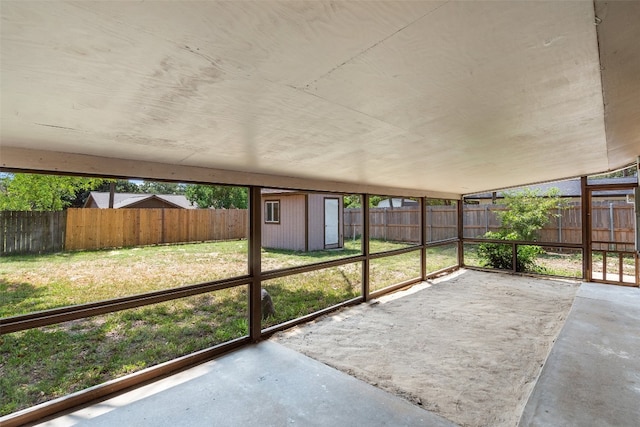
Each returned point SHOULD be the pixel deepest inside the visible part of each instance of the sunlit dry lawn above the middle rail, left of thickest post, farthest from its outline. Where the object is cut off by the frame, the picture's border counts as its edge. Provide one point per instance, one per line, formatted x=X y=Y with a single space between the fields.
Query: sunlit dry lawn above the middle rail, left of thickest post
x=33 y=283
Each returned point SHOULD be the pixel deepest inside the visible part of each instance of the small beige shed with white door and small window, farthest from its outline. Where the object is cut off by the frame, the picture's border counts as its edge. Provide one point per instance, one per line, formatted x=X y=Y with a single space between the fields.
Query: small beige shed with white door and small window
x=301 y=221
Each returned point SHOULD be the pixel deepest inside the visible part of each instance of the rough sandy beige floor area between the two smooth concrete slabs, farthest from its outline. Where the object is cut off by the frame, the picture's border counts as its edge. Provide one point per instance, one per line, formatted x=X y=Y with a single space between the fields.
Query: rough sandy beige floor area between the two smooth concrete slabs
x=469 y=348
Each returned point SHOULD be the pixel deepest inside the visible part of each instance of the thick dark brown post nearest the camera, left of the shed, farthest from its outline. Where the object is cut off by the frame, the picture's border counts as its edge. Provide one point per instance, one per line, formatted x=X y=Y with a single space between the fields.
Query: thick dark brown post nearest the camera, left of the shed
x=255 y=263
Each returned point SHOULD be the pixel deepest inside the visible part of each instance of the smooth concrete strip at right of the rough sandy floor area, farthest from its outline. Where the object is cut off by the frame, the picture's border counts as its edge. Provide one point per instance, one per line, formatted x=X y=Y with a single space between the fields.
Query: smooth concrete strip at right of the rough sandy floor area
x=592 y=375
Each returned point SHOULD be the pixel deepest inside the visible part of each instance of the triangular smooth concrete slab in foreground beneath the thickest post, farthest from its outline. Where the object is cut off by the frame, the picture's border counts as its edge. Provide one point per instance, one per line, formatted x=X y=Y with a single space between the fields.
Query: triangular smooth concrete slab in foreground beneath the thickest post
x=265 y=384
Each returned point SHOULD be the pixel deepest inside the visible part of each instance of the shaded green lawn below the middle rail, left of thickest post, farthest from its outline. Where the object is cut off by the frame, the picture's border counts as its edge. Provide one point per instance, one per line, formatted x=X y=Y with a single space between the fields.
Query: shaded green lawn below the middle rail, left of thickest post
x=41 y=364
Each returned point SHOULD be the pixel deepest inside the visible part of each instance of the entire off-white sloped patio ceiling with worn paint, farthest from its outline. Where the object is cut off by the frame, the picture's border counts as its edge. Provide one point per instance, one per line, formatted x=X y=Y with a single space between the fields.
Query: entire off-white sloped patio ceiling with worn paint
x=445 y=97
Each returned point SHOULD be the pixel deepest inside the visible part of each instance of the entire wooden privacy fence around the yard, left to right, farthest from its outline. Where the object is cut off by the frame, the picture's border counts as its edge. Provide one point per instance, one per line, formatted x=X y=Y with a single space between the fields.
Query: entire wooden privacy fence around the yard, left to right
x=76 y=229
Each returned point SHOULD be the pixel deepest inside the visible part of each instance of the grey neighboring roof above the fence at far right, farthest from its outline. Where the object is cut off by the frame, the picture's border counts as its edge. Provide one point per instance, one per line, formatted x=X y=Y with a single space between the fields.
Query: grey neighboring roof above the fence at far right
x=568 y=188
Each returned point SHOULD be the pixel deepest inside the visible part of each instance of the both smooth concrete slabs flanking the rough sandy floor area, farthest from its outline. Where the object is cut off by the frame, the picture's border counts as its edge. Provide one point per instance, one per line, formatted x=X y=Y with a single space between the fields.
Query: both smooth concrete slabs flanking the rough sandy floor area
x=591 y=378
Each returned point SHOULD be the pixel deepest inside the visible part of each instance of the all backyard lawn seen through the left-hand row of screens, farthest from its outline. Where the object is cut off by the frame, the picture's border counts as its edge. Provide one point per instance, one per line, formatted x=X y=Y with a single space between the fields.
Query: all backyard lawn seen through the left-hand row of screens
x=41 y=364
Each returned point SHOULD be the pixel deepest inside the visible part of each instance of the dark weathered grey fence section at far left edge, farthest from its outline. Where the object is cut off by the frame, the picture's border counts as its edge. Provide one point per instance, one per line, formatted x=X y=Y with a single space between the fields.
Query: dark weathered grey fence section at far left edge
x=32 y=232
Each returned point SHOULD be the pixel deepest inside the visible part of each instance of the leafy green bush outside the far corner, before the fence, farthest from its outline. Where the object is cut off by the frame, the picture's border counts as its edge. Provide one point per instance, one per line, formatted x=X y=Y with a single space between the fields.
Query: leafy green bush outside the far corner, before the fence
x=527 y=212
